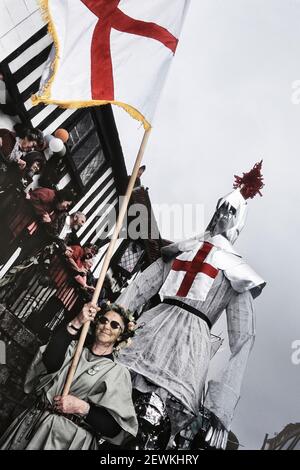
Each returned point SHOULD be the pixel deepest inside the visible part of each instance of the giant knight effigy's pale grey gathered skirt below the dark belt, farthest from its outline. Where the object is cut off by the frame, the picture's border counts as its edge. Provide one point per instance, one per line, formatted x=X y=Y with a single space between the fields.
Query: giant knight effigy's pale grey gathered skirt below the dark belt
x=171 y=351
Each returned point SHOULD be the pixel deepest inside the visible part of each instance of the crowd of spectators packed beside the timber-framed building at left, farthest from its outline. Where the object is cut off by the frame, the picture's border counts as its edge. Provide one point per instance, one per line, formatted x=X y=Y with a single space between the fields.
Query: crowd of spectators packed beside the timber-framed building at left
x=36 y=218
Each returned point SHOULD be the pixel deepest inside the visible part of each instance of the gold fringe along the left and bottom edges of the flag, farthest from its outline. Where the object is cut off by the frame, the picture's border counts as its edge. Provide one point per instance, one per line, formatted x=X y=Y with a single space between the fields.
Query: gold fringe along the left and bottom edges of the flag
x=45 y=96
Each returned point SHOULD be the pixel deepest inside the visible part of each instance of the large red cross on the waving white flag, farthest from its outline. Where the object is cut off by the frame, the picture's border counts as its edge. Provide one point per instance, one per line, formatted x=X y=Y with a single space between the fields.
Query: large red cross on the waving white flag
x=111 y=17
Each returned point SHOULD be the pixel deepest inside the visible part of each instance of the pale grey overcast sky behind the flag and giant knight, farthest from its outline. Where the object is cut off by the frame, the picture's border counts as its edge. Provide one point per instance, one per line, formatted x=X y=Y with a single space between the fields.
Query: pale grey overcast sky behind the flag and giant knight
x=227 y=103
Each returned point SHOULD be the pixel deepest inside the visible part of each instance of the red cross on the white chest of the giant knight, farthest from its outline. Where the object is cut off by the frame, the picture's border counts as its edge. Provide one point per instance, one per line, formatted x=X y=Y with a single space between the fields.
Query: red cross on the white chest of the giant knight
x=192 y=268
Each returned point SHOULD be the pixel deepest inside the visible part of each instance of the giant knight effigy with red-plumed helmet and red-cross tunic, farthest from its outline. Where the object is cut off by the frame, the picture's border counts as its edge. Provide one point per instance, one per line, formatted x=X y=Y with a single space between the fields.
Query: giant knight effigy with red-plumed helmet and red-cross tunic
x=197 y=280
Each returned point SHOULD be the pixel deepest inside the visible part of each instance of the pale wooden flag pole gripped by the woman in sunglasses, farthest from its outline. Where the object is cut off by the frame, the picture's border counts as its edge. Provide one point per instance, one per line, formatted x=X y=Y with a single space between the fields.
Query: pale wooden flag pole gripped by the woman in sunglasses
x=107 y=259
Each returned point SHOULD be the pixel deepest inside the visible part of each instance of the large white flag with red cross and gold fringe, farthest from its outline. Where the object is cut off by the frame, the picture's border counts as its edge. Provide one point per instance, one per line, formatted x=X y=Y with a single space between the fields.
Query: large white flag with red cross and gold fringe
x=110 y=51
